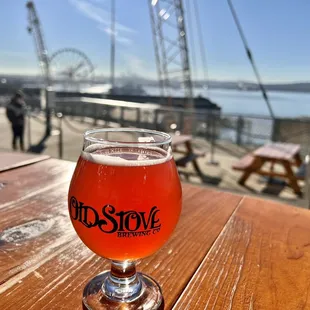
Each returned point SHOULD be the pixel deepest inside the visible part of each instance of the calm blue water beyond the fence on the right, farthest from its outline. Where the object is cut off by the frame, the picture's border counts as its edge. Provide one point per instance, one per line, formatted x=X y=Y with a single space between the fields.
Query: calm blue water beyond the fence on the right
x=259 y=130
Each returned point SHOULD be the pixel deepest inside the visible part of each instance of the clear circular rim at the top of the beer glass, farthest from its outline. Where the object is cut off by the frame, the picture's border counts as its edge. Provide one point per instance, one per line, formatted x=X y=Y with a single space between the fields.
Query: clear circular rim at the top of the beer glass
x=87 y=133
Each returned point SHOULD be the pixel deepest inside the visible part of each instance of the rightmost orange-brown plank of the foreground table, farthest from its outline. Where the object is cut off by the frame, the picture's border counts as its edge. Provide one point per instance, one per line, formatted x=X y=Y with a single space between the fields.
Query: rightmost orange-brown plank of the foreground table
x=261 y=260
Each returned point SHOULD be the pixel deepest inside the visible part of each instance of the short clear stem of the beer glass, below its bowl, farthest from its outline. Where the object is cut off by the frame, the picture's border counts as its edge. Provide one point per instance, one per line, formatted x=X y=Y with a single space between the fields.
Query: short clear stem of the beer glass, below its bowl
x=122 y=283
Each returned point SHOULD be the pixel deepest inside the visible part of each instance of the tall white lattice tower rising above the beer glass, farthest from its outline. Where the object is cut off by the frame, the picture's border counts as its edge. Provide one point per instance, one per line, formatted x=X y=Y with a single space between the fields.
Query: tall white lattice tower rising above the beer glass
x=171 y=50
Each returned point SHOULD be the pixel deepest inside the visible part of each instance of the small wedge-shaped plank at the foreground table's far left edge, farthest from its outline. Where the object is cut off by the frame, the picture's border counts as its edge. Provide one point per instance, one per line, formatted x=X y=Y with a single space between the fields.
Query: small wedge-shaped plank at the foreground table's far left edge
x=10 y=160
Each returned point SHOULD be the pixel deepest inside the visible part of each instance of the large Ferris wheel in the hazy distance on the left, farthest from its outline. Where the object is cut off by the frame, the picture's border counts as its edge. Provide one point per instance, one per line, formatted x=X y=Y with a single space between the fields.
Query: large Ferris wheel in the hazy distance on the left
x=71 y=67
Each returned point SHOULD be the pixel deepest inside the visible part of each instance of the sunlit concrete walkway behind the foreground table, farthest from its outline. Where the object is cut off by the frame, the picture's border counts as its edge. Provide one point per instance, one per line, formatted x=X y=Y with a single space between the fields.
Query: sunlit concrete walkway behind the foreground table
x=220 y=176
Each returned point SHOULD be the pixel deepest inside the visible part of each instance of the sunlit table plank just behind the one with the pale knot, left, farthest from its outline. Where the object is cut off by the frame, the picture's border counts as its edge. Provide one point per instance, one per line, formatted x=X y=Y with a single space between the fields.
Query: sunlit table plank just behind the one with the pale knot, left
x=30 y=180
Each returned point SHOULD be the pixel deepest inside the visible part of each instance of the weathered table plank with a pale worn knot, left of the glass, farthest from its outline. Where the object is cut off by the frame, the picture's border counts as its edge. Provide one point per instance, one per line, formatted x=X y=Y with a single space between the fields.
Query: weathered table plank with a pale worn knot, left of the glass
x=32 y=231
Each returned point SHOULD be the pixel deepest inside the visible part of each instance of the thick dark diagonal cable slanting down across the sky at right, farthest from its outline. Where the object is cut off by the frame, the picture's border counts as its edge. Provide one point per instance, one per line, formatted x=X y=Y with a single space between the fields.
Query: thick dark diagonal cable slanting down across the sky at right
x=249 y=54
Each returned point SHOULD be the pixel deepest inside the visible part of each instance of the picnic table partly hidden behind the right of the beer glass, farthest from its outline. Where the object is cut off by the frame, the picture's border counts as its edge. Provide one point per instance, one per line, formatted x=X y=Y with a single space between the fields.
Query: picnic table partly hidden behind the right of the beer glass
x=188 y=155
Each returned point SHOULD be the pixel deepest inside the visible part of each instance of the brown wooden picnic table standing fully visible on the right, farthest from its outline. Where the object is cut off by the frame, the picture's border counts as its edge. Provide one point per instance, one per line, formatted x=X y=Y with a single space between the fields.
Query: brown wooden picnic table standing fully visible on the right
x=285 y=154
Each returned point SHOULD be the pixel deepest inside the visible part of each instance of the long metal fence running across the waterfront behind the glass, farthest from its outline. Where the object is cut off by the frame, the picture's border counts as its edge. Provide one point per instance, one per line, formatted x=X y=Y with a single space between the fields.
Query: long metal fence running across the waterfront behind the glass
x=242 y=130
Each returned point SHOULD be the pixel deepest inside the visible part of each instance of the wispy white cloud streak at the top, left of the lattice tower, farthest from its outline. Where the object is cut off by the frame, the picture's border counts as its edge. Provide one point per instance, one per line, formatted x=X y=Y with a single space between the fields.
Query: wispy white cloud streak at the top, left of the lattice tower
x=92 y=10
